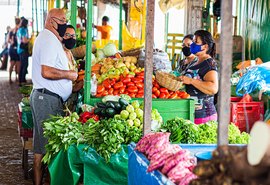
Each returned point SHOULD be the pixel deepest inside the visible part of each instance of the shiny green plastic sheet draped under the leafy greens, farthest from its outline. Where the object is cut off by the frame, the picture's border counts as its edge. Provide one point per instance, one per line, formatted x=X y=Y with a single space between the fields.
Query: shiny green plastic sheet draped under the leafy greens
x=83 y=163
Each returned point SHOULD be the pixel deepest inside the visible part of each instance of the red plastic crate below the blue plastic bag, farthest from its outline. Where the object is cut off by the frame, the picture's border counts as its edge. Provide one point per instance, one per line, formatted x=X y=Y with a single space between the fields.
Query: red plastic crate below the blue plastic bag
x=243 y=113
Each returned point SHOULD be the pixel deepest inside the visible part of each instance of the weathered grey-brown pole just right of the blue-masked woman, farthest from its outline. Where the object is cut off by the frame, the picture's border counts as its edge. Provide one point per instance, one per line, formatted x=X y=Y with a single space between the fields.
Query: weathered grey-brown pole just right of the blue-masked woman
x=225 y=72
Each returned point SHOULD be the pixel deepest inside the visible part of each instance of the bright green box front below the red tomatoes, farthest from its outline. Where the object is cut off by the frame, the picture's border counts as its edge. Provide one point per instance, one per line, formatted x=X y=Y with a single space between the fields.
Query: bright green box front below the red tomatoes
x=168 y=108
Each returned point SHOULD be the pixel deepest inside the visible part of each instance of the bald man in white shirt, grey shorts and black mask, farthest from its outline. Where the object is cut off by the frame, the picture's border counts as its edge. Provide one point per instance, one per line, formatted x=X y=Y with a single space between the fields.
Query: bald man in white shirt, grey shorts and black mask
x=52 y=81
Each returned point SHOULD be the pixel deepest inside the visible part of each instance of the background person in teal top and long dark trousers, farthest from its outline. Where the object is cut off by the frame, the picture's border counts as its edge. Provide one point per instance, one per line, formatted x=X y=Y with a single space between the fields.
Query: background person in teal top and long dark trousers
x=22 y=49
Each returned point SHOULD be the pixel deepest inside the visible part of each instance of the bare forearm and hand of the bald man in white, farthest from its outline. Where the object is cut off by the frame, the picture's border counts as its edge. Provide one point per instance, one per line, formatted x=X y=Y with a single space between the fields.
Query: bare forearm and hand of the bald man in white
x=57 y=74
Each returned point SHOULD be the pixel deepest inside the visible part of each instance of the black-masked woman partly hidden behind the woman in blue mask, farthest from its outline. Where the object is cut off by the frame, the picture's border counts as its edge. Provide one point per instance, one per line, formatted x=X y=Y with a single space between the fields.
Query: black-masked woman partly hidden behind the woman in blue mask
x=190 y=58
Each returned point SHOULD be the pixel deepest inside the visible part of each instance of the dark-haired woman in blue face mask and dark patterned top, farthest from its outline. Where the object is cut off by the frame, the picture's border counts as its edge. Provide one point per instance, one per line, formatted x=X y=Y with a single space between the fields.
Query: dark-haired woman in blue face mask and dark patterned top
x=201 y=78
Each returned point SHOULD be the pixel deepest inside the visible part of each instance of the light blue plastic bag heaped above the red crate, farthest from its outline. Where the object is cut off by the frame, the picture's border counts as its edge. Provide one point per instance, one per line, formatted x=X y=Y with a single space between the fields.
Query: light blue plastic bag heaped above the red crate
x=256 y=78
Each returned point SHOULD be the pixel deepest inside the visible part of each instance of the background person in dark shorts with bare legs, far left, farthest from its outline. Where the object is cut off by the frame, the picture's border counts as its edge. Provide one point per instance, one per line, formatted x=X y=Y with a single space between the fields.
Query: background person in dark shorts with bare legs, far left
x=14 y=57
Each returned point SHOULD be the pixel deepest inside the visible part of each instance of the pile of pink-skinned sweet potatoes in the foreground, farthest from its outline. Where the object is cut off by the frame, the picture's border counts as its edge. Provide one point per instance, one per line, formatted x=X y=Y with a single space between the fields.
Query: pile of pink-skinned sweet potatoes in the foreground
x=174 y=162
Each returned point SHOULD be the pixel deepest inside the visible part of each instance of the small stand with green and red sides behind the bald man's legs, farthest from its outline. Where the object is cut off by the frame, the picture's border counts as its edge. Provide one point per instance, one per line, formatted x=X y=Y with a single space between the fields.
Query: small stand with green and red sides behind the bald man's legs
x=25 y=125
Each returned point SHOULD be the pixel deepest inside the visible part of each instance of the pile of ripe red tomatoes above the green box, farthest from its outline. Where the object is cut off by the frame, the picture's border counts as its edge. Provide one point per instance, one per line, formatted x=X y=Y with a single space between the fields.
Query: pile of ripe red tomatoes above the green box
x=134 y=87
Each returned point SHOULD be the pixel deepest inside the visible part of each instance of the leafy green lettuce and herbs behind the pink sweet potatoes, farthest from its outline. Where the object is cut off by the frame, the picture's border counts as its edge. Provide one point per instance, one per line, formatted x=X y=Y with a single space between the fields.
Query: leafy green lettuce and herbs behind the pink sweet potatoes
x=184 y=131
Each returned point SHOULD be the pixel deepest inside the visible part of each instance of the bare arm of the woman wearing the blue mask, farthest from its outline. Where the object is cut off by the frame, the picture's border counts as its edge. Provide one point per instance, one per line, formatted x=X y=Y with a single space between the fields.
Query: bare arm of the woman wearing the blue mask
x=208 y=86
